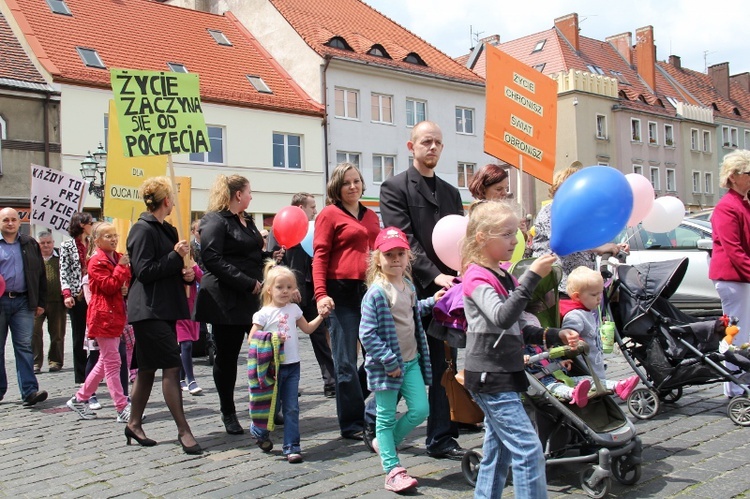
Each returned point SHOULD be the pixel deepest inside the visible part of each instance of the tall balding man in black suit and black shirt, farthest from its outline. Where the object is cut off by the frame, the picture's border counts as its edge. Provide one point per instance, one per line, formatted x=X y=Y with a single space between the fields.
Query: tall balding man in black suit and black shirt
x=414 y=201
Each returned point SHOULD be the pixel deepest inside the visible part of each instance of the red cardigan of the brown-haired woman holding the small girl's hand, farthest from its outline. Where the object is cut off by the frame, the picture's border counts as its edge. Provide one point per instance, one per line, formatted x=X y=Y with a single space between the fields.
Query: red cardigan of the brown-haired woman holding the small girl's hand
x=341 y=245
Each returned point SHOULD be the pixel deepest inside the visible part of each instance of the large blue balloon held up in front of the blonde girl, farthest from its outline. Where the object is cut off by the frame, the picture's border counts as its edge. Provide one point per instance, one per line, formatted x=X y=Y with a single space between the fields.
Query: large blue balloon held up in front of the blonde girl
x=590 y=208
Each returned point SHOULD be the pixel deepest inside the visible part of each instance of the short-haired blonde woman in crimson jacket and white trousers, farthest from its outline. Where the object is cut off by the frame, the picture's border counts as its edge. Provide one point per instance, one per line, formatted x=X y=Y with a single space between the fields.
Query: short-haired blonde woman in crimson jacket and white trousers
x=730 y=260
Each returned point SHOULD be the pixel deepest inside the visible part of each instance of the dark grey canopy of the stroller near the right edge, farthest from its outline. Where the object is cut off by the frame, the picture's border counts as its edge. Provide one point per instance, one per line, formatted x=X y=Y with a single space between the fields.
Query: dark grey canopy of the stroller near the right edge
x=641 y=285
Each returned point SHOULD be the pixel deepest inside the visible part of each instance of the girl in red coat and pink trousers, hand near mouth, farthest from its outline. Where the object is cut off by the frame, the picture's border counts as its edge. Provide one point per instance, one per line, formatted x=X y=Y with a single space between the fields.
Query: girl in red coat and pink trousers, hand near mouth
x=108 y=271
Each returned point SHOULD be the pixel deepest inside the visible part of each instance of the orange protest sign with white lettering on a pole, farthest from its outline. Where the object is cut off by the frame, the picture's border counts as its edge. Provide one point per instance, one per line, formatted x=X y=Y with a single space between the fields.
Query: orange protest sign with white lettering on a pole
x=521 y=115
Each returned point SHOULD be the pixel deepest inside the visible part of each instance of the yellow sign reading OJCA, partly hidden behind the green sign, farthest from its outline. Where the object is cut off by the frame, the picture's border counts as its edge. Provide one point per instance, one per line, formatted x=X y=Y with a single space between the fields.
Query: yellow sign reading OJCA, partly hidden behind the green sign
x=125 y=175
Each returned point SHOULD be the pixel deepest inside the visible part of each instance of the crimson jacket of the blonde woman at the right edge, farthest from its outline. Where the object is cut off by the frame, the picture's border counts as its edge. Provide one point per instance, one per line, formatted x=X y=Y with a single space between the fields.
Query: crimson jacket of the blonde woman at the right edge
x=730 y=259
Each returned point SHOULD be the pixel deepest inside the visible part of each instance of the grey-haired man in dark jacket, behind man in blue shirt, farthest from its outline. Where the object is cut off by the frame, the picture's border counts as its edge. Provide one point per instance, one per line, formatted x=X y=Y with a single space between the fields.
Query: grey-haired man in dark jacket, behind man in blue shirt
x=54 y=312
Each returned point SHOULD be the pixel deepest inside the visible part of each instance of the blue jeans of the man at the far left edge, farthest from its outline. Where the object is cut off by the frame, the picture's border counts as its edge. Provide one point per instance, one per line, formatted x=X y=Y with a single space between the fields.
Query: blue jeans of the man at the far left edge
x=15 y=314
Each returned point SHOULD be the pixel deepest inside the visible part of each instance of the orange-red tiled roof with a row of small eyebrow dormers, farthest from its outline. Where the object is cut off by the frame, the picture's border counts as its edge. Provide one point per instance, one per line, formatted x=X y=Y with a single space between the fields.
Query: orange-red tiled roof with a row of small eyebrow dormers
x=362 y=27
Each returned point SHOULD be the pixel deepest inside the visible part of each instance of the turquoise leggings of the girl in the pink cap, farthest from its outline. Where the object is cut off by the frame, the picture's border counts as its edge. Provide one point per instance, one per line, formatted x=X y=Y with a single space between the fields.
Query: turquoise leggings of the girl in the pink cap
x=389 y=432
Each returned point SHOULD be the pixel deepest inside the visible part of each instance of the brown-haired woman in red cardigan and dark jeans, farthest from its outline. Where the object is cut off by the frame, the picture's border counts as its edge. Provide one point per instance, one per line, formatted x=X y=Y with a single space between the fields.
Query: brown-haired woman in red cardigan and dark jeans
x=345 y=232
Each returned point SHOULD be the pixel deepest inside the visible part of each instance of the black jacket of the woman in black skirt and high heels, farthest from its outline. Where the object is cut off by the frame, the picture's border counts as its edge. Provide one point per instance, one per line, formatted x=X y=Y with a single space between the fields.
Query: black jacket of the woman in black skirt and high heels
x=157 y=290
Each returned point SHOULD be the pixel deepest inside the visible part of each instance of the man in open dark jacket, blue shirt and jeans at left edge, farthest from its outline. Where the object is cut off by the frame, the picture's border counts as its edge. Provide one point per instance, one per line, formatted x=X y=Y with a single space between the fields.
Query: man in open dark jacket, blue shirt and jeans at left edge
x=22 y=267
